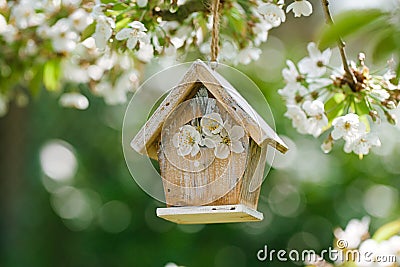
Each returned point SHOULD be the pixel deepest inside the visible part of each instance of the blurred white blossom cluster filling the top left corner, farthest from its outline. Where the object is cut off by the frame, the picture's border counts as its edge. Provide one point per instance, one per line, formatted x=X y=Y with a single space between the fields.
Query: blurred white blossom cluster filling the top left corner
x=48 y=38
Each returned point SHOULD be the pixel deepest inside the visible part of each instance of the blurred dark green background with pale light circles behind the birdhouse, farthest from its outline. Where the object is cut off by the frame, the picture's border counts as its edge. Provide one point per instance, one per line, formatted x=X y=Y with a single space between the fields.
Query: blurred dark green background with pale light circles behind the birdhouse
x=67 y=198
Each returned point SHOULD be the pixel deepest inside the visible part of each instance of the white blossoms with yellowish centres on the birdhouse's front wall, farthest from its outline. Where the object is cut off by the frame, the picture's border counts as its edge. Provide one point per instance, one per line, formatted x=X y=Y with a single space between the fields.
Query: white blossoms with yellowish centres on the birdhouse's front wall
x=210 y=132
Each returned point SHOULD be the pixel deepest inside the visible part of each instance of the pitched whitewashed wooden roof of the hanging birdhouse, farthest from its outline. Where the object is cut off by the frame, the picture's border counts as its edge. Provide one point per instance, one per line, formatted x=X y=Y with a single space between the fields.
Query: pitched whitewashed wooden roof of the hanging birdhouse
x=146 y=141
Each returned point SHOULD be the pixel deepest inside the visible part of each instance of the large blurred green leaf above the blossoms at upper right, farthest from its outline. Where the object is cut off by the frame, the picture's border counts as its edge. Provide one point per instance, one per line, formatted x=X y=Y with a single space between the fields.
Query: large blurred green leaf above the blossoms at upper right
x=348 y=23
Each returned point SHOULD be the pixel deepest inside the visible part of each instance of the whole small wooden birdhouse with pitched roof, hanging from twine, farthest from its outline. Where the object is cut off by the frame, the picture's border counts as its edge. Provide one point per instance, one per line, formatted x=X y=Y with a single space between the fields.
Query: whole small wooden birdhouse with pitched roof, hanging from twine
x=211 y=146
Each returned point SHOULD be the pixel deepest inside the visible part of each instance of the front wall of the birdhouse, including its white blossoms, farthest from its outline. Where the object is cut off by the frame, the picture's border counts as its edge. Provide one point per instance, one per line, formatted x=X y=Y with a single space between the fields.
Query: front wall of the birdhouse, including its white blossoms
x=203 y=152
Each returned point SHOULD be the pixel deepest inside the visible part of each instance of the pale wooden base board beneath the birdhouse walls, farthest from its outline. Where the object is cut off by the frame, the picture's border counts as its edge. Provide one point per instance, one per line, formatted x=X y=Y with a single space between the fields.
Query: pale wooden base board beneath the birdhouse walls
x=210 y=214
